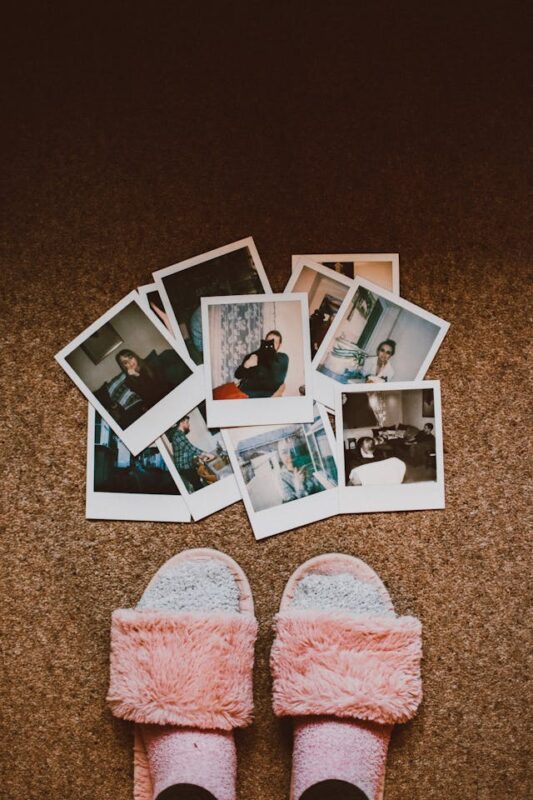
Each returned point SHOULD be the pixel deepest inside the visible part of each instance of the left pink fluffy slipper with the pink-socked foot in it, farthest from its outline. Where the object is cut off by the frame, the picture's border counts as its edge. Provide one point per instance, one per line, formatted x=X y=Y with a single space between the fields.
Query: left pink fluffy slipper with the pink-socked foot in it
x=181 y=669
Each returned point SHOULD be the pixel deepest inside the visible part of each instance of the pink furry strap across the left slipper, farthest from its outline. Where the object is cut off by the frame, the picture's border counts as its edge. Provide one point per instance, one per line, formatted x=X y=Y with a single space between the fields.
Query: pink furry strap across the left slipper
x=187 y=669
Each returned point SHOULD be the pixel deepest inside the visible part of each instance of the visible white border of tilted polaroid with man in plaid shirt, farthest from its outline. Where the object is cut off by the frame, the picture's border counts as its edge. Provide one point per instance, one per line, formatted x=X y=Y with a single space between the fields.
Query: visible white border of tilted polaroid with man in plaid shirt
x=209 y=499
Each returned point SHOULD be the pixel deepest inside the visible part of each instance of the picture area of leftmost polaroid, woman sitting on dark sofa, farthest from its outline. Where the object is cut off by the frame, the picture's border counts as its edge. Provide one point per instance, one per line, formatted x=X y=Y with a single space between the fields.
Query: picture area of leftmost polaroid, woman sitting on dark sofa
x=128 y=365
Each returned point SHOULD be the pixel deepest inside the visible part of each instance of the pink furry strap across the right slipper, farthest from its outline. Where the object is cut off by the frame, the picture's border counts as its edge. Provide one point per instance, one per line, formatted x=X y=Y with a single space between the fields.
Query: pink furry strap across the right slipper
x=359 y=667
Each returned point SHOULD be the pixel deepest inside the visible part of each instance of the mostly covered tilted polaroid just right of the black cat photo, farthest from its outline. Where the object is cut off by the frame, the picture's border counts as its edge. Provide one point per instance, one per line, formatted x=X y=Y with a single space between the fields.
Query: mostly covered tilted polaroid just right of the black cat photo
x=325 y=289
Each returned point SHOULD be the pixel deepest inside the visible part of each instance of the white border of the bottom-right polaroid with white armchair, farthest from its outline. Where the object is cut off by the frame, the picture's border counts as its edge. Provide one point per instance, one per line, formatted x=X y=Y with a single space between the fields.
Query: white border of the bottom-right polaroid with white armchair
x=425 y=495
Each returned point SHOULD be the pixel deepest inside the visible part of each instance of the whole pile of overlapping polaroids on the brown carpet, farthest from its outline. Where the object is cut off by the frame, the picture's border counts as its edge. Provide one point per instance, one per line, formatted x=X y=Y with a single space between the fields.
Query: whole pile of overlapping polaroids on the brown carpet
x=166 y=371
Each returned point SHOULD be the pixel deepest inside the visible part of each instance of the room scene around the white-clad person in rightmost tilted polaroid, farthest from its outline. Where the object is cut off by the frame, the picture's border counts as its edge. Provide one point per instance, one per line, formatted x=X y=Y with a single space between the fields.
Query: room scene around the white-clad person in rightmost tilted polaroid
x=370 y=320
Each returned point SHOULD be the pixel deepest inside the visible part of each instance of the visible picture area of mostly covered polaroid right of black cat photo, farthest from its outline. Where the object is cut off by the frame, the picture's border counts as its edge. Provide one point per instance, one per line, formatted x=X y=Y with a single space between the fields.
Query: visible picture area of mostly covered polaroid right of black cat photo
x=325 y=297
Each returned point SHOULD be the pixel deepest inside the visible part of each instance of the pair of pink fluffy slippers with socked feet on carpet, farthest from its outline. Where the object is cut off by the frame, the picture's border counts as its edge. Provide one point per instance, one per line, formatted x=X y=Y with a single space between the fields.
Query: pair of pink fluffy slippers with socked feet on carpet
x=344 y=666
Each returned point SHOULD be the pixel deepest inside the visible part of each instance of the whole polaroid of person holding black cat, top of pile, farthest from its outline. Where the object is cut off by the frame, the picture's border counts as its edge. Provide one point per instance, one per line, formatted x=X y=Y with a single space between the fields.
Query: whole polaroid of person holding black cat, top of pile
x=257 y=359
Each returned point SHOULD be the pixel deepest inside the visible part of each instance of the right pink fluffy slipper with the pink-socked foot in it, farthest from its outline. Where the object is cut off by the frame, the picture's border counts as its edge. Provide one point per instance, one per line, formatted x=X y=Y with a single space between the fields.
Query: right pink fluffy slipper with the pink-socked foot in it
x=346 y=668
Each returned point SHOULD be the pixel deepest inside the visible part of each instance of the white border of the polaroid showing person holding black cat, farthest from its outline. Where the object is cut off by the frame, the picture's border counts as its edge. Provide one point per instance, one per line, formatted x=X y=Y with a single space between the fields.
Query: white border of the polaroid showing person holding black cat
x=258 y=411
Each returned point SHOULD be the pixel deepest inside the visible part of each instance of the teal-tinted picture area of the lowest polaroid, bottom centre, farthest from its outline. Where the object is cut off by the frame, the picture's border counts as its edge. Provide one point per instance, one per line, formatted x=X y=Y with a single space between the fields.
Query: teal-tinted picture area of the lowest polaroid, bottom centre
x=268 y=458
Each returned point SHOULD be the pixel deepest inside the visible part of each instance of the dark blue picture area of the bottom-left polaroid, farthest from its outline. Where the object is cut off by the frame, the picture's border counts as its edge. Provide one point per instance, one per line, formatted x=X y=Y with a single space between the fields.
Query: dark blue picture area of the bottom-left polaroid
x=117 y=470
